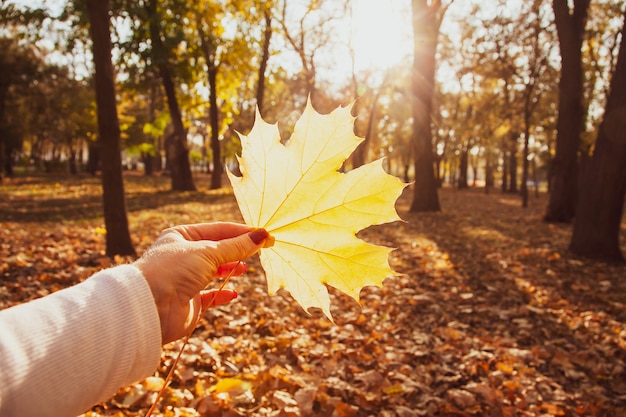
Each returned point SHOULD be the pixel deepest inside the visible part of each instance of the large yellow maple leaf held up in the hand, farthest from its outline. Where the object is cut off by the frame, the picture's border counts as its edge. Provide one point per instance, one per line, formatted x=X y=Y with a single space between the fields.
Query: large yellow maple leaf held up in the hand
x=313 y=212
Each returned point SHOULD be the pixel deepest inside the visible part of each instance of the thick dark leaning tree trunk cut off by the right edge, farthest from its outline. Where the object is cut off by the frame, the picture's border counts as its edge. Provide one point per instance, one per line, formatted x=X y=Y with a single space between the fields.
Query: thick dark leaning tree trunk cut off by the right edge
x=601 y=204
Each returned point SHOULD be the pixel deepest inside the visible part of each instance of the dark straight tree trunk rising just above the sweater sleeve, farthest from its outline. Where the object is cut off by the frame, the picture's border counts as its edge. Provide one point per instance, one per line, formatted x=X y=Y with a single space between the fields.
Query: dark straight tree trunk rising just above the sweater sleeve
x=118 y=240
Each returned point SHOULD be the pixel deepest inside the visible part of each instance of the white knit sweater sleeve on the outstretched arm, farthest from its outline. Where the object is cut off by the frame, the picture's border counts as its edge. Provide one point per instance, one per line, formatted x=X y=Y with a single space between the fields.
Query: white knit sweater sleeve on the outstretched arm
x=65 y=352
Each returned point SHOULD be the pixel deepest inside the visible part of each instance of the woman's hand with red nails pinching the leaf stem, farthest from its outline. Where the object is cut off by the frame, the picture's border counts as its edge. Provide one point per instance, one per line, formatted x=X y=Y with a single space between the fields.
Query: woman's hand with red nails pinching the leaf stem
x=182 y=262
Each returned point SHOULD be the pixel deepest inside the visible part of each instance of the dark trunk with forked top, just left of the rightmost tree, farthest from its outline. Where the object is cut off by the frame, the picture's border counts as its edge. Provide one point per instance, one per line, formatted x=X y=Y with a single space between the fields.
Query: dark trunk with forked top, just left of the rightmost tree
x=570 y=122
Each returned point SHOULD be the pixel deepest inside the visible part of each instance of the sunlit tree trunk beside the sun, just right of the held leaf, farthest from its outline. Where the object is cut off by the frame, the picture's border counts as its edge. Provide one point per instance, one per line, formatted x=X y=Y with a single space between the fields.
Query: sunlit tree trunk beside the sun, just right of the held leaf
x=426 y=23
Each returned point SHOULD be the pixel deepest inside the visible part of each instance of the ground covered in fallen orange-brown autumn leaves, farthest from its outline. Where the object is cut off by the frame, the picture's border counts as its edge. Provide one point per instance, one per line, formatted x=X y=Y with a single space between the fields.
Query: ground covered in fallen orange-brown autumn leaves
x=492 y=316
